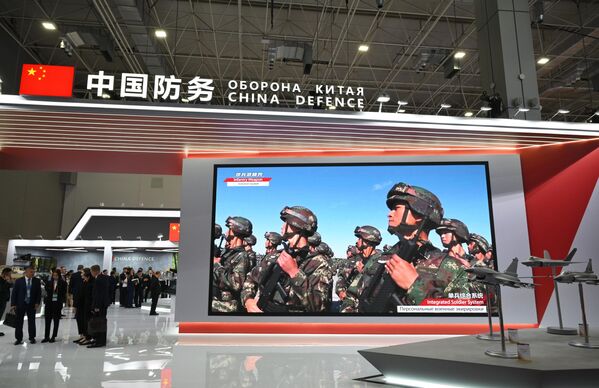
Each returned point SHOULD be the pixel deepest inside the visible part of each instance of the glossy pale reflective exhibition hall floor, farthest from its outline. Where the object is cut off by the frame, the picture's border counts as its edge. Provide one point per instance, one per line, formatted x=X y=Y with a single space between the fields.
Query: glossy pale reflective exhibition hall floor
x=146 y=351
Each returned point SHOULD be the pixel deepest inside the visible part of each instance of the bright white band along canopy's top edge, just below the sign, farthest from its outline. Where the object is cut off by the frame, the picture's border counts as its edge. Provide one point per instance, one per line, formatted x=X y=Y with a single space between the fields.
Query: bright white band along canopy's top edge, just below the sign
x=377 y=118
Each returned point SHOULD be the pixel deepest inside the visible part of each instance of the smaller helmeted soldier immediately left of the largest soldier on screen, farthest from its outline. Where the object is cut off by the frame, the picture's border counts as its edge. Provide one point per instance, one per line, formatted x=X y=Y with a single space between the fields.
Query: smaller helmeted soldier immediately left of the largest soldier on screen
x=351 y=284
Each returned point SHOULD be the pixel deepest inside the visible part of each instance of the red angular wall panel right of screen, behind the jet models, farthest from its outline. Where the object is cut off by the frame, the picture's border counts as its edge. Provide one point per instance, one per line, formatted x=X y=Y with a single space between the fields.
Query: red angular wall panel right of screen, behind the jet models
x=558 y=183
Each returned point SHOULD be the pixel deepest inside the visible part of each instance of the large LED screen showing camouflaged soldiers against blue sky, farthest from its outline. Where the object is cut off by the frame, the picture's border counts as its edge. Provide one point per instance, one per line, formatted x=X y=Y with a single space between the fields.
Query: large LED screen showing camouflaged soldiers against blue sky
x=341 y=239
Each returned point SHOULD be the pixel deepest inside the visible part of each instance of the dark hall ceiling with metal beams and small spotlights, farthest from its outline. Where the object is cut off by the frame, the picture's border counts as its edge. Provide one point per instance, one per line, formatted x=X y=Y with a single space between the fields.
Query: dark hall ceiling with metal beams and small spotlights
x=226 y=39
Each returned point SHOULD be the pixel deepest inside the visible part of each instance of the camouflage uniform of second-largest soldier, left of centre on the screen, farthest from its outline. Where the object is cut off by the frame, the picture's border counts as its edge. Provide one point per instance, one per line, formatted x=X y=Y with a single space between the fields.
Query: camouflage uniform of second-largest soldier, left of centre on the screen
x=308 y=291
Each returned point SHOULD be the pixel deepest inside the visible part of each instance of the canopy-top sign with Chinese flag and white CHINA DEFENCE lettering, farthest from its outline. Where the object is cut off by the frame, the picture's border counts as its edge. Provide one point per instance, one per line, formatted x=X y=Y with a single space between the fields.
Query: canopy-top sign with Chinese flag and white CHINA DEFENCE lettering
x=45 y=80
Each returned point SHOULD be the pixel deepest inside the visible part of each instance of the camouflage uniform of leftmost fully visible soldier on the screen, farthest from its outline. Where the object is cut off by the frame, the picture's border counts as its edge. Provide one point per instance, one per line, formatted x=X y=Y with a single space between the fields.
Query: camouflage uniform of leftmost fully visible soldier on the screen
x=228 y=277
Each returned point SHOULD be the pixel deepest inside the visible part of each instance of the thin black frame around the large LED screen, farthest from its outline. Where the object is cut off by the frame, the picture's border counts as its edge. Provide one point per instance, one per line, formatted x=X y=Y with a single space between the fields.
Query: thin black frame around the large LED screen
x=215 y=168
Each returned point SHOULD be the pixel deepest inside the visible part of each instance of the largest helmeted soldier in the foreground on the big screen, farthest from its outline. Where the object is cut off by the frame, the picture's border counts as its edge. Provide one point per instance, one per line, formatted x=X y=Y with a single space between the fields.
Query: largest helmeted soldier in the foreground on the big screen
x=429 y=273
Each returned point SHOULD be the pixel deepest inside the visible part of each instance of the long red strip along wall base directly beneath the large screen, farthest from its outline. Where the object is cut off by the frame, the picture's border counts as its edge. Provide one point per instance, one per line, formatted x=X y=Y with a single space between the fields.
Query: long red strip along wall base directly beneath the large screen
x=338 y=328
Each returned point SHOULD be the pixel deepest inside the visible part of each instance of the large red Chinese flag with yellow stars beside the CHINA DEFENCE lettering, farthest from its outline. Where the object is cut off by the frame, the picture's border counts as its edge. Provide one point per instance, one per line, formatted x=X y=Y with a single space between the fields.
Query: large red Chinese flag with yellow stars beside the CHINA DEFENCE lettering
x=45 y=80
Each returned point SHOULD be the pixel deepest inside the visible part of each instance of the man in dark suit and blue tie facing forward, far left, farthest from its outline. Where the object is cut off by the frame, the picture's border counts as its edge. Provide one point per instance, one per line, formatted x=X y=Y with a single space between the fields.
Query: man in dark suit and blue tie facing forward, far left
x=26 y=297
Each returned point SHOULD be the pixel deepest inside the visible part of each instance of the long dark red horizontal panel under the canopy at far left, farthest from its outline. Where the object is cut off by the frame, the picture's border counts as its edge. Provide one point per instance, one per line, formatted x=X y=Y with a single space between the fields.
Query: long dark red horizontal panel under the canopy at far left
x=90 y=161
